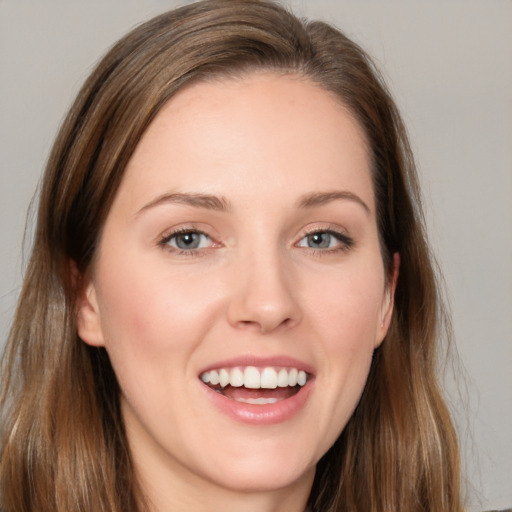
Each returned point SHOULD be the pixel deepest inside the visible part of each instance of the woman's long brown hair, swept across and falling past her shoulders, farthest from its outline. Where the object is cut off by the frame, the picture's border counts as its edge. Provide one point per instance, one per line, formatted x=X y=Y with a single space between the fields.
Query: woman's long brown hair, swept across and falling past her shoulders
x=63 y=442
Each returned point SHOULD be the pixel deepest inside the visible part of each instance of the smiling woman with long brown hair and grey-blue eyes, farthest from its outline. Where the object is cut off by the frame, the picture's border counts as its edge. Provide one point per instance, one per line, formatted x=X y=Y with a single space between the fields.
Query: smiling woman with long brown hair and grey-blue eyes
x=230 y=301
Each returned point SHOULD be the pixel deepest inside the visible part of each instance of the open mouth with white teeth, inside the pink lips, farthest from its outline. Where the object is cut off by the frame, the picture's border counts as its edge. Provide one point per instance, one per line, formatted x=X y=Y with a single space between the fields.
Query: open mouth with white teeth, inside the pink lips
x=254 y=385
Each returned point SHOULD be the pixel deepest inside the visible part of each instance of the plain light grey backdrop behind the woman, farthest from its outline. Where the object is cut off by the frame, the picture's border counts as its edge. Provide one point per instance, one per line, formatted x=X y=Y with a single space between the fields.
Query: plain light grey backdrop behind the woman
x=449 y=65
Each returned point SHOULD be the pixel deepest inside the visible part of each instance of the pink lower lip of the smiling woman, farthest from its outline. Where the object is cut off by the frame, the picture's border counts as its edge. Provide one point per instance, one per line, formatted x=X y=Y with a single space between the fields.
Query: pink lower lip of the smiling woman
x=261 y=414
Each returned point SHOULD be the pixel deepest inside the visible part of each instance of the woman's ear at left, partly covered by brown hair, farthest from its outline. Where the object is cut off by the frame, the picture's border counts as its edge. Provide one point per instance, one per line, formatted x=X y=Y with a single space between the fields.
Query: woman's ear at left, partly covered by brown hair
x=88 y=321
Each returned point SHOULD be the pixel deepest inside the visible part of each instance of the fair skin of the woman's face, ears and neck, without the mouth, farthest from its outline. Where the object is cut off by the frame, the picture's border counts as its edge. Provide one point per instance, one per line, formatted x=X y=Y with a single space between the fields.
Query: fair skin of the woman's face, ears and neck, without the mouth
x=254 y=287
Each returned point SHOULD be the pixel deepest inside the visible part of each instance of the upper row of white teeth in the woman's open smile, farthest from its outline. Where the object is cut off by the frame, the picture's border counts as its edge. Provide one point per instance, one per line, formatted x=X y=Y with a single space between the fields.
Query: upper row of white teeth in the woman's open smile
x=254 y=378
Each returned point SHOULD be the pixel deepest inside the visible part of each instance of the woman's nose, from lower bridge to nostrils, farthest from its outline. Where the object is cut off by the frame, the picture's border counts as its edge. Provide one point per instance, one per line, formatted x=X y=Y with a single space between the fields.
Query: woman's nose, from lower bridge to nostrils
x=264 y=297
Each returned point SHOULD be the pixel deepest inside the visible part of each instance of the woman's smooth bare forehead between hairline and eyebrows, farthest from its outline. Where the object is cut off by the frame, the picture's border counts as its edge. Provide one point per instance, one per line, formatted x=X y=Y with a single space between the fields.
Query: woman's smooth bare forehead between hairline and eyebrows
x=233 y=135
